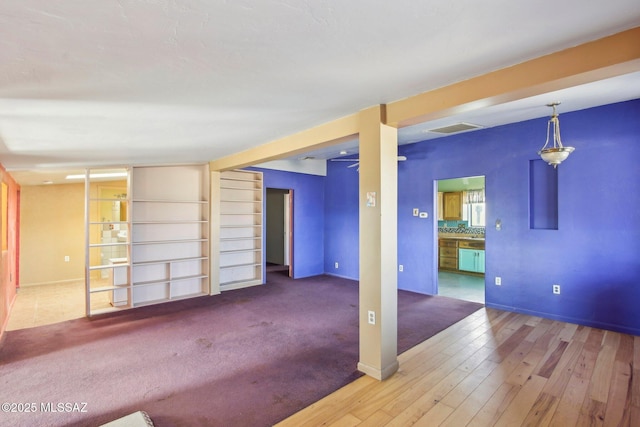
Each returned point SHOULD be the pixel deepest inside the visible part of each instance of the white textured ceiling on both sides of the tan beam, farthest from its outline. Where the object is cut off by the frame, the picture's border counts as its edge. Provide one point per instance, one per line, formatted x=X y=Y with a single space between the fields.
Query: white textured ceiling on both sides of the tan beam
x=104 y=83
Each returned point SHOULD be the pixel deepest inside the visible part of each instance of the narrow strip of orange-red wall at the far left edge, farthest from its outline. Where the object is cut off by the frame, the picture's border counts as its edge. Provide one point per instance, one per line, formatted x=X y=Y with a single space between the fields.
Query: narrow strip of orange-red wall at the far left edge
x=9 y=261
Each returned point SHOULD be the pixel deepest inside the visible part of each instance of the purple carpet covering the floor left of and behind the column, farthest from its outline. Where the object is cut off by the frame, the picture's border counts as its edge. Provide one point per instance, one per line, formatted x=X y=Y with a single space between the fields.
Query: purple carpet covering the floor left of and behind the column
x=249 y=357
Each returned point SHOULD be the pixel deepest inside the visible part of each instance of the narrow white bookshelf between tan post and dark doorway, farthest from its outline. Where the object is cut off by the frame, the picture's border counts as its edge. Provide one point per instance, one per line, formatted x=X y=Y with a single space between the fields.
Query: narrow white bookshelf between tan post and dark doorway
x=238 y=213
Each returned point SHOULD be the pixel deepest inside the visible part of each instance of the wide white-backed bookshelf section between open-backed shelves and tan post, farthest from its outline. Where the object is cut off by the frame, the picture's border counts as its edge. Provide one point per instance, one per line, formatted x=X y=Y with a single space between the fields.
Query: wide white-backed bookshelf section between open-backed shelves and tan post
x=170 y=233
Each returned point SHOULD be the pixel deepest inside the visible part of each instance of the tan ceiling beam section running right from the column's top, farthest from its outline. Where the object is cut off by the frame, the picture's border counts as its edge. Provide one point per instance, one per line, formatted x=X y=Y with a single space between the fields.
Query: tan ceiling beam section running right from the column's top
x=604 y=58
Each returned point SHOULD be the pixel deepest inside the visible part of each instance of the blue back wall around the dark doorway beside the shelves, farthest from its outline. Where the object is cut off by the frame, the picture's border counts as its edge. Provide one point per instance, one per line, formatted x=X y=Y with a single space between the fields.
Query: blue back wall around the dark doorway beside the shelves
x=308 y=218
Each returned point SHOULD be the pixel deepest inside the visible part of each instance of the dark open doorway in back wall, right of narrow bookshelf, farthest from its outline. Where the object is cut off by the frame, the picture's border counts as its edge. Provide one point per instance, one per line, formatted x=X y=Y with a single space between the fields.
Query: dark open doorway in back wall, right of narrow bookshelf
x=279 y=231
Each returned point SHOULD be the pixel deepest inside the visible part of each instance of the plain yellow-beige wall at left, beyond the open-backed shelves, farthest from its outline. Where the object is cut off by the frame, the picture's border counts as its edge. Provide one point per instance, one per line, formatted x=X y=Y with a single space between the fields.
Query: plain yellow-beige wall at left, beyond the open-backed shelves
x=51 y=227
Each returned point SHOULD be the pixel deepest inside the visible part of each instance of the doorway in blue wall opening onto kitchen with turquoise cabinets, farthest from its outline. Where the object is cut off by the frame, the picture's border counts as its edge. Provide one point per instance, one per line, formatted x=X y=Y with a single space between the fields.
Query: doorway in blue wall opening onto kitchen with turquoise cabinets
x=461 y=210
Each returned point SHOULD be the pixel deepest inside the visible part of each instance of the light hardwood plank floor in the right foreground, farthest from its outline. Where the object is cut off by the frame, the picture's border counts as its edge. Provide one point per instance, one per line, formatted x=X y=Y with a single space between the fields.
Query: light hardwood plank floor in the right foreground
x=497 y=368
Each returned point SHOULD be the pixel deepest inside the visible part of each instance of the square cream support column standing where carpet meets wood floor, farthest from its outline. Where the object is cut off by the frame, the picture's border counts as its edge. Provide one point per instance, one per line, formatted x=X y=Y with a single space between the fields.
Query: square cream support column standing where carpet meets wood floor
x=378 y=190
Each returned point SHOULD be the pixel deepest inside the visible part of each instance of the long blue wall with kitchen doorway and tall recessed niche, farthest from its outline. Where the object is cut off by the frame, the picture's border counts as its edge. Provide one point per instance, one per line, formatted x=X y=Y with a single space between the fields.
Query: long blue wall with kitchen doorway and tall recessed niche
x=594 y=255
